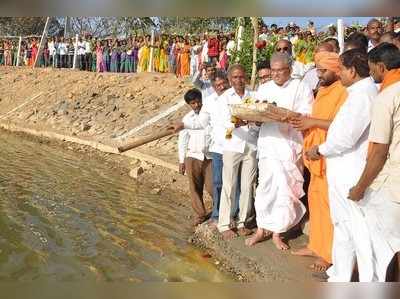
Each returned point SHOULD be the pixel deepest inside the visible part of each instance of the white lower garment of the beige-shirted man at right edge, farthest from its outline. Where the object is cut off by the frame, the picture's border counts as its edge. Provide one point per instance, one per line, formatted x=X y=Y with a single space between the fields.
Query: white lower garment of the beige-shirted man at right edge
x=382 y=216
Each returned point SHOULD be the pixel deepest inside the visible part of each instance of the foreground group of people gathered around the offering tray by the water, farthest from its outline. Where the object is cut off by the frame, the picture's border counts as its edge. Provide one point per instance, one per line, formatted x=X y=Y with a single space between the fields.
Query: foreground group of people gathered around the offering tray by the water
x=340 y=147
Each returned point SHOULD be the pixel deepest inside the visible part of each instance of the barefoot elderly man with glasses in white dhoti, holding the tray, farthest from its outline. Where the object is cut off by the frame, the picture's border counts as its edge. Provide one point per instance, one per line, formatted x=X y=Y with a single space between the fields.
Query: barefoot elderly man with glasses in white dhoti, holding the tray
x=280 y=184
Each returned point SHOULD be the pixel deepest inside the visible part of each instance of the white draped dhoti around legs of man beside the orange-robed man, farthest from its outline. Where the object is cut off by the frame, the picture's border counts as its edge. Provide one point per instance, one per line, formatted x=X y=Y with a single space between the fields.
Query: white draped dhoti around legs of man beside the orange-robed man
x=277 y=203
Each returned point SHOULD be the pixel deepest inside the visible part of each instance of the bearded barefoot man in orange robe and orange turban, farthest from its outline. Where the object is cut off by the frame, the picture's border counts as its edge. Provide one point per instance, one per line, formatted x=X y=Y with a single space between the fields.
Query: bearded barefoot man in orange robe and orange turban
x=330 y=97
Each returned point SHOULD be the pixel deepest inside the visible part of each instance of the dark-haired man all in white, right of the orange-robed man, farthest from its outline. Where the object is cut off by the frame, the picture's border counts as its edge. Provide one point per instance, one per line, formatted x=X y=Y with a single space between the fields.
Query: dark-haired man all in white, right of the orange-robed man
x=345 y=150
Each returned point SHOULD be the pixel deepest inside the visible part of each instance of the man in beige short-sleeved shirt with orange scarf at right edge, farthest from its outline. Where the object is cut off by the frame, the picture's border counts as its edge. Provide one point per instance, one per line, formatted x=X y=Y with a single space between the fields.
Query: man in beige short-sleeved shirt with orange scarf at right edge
x=380 y=180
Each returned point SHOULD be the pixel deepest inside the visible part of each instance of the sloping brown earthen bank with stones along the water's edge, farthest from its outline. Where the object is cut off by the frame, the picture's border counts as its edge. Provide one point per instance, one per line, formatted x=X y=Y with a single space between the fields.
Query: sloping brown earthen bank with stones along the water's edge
x=93 y=110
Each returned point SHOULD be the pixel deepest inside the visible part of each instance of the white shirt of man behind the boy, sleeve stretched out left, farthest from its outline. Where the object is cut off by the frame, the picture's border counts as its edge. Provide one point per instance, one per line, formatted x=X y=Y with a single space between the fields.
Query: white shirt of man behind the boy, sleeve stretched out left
x=210 y=116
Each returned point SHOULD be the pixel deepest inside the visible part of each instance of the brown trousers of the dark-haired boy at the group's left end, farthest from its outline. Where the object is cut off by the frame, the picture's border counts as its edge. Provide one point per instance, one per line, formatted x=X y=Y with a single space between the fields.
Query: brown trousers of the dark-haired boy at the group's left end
x=199 y=174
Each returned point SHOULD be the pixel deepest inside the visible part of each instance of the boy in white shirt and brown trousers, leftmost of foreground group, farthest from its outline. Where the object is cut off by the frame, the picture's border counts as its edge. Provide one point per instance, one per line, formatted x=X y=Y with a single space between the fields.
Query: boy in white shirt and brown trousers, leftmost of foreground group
x=194 y=158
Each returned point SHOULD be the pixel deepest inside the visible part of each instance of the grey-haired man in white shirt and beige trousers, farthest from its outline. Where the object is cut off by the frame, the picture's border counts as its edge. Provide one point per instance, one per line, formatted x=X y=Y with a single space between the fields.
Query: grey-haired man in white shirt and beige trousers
x=239 y=151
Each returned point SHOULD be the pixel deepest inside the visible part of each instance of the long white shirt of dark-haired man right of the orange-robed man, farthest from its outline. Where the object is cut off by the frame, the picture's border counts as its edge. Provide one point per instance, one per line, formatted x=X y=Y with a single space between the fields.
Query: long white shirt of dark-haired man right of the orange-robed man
x=346 y=144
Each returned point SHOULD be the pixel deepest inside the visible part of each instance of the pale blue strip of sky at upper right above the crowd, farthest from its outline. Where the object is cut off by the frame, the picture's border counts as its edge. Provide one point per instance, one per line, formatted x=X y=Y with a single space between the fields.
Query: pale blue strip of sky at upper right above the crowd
x=318 y=21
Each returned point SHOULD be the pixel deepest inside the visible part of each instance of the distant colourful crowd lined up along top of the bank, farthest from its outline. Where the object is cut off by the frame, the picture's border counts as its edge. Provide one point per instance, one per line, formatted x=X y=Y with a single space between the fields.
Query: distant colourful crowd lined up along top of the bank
x=181 y=55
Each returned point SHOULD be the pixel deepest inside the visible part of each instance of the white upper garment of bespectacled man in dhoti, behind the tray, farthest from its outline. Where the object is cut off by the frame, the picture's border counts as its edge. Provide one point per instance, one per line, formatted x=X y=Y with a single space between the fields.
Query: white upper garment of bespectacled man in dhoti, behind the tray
x=280 y=140
